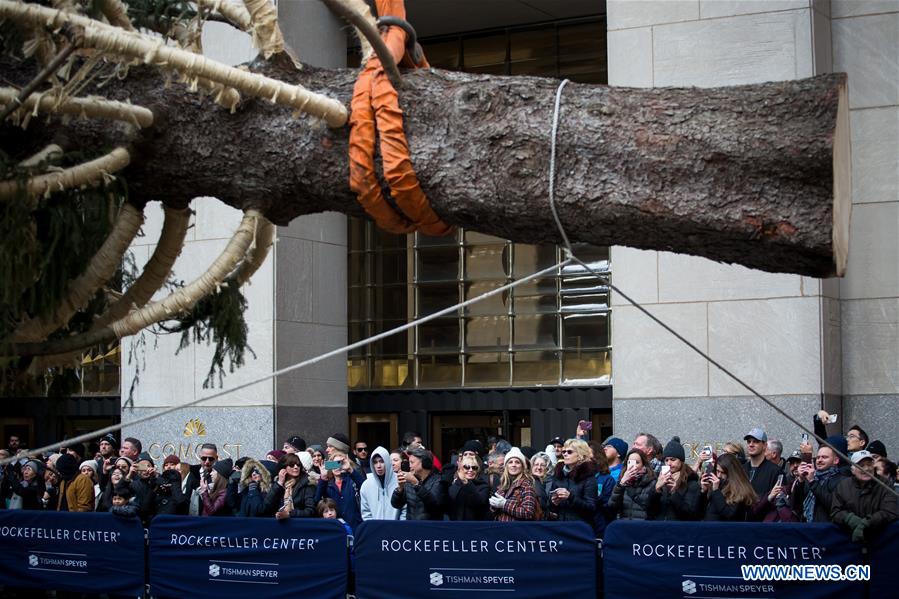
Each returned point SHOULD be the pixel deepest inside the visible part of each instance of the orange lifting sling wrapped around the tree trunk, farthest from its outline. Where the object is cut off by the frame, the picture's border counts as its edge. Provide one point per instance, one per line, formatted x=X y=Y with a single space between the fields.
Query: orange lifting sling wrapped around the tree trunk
x=375 y=114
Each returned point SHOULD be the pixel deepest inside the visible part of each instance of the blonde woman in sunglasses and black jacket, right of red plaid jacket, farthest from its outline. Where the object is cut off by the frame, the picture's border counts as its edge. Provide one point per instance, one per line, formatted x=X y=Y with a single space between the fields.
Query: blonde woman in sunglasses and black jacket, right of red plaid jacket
x=572 y=491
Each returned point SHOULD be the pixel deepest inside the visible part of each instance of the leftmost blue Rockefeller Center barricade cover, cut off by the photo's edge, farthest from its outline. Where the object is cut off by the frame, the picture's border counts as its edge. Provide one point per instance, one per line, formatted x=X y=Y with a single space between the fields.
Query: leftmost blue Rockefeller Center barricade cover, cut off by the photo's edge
x=70 y=551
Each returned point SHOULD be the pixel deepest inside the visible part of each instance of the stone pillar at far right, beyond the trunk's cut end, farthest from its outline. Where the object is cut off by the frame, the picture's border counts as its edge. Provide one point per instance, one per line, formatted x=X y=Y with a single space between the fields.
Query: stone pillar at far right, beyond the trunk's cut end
x=866 y=46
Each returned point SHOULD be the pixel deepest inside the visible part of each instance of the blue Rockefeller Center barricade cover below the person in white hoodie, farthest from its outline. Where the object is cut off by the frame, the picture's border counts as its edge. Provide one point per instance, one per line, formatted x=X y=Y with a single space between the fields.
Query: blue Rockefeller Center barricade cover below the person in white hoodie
x=468 y=559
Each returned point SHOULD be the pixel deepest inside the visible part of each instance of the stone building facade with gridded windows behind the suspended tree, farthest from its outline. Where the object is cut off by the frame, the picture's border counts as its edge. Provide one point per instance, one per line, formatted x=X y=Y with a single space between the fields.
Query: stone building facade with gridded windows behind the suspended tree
x=804 y=343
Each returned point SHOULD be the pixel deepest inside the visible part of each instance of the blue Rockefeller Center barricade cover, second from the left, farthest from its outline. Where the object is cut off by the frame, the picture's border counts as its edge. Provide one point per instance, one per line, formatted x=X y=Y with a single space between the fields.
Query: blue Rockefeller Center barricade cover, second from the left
x=237 y=557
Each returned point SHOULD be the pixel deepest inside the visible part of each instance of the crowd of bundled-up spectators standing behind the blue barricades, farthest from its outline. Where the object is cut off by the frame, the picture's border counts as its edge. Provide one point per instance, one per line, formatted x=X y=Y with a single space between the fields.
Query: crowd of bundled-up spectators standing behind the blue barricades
x=572 y=479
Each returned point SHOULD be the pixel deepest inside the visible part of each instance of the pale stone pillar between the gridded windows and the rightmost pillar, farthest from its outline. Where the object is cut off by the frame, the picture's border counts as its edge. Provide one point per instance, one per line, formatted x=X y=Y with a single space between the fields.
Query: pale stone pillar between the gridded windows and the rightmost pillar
x=780 y=333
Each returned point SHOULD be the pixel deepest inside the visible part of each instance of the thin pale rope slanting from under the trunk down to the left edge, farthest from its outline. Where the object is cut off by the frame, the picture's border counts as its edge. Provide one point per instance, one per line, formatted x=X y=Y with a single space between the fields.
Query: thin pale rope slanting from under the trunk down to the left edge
x=116 y=427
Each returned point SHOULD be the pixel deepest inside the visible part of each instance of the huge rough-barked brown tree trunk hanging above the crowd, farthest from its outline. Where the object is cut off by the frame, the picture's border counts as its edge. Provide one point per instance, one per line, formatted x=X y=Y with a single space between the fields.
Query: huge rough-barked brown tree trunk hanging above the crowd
x=756 y=175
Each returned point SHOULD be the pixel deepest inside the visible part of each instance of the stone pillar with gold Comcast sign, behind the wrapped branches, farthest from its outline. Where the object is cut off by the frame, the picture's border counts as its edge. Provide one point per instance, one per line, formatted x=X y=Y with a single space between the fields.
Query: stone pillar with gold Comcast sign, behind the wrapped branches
x=296 y=305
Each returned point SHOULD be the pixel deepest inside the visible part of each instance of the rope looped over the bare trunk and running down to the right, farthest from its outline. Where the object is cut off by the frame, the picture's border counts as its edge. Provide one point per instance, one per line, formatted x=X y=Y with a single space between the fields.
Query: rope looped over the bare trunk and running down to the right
x=605 y=280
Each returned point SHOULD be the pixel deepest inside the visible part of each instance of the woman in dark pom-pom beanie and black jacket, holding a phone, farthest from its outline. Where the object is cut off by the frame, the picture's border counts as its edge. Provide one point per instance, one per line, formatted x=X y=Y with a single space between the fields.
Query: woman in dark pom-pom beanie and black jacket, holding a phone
x=677 y=488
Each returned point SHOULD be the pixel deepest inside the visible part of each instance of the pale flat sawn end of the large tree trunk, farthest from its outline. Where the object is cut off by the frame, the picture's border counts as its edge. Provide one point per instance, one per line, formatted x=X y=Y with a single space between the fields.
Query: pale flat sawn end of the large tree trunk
x=842 y=183
